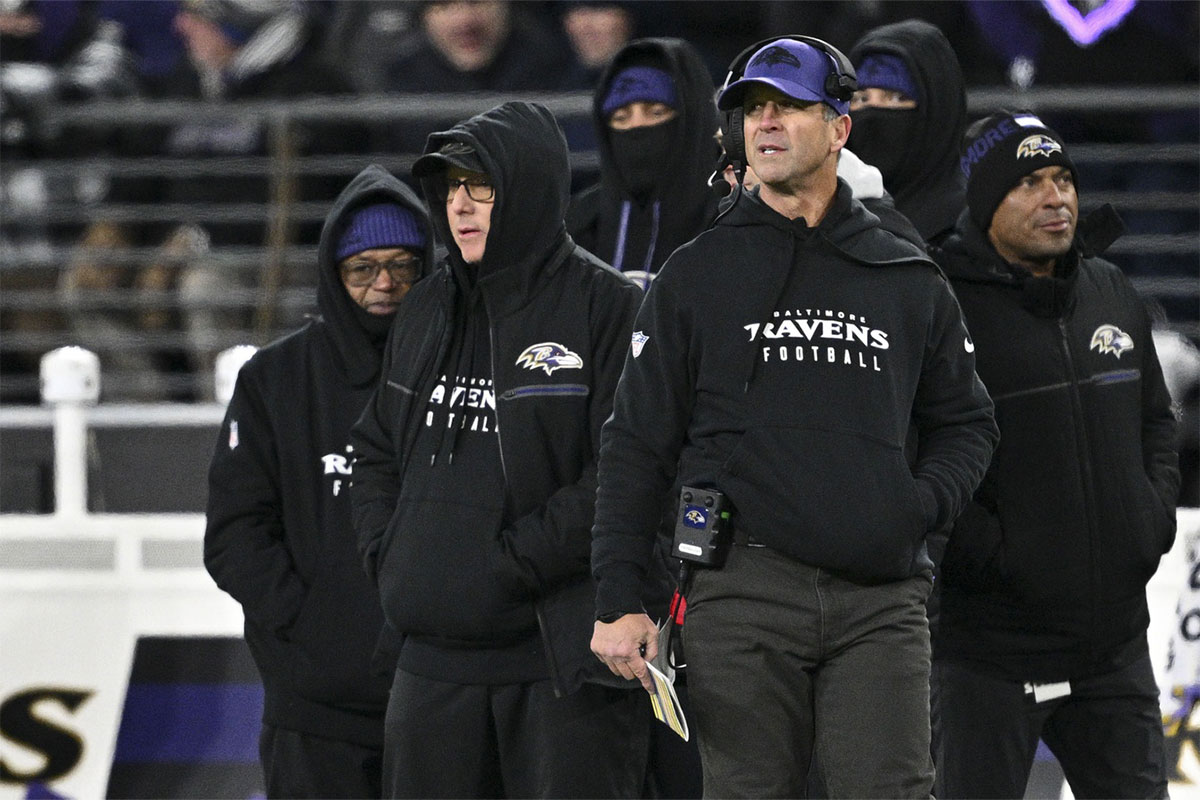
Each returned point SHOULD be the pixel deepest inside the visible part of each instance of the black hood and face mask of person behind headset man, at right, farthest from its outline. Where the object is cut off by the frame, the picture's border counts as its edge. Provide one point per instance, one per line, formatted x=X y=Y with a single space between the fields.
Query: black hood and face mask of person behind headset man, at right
x=917 y=151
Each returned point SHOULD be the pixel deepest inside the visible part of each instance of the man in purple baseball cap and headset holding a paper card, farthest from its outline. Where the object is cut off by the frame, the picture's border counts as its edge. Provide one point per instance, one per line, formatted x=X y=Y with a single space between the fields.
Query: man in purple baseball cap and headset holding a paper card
x=782 y=360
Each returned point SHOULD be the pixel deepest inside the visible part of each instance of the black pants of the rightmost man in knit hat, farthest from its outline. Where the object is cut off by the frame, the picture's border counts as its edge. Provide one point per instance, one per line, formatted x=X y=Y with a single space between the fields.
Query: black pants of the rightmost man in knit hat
x=1107 y=735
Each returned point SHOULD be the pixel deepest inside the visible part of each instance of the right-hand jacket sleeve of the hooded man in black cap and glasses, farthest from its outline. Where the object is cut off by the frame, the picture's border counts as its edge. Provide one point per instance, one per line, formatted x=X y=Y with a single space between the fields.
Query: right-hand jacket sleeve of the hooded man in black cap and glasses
x=554 y=544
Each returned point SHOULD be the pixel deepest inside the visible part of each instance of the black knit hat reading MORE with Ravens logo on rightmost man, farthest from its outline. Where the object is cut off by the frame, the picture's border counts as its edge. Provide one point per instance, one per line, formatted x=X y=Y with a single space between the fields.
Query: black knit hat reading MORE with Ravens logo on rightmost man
x=999 y=152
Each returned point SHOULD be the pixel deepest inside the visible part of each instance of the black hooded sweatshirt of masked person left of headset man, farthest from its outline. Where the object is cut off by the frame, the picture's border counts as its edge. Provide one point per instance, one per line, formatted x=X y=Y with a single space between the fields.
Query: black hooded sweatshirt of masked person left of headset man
x=638 y=232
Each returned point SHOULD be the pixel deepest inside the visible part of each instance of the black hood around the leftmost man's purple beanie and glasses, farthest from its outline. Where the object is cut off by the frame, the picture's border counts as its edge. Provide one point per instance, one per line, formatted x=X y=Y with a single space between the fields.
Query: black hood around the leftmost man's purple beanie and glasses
x=356 y=346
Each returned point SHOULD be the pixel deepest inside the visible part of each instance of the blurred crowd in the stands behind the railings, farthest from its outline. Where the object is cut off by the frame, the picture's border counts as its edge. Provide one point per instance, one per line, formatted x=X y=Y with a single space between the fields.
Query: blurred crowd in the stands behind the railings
x=155 y=251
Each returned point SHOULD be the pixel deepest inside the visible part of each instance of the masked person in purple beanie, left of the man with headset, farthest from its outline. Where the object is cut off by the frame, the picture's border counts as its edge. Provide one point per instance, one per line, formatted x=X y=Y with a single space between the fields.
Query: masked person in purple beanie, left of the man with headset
x=656 y=124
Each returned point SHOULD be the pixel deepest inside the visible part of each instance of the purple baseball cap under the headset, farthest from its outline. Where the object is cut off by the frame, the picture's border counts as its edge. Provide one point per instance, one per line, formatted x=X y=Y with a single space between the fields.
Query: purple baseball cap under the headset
x=796 y=69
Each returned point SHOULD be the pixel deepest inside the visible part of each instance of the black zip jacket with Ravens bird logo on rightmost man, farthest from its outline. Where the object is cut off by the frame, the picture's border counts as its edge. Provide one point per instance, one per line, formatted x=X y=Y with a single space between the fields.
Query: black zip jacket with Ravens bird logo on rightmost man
x=1045 y=576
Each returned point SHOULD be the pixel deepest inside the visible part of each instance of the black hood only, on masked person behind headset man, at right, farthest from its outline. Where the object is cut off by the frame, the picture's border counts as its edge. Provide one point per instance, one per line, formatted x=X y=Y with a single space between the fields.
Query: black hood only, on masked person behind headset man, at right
x=931 y=190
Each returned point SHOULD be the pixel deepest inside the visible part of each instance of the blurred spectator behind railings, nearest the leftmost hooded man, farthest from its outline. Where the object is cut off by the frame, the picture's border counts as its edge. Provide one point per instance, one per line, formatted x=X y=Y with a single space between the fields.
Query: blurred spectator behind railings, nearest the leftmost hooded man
x=237 y=51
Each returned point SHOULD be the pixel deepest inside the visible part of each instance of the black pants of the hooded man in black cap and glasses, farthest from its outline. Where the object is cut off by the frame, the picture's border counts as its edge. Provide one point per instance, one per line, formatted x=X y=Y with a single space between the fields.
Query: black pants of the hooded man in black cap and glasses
x=514 y=741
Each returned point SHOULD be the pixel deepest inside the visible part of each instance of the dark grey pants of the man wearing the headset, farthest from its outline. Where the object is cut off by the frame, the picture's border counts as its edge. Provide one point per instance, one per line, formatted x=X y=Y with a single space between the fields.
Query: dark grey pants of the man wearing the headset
x=789 y=664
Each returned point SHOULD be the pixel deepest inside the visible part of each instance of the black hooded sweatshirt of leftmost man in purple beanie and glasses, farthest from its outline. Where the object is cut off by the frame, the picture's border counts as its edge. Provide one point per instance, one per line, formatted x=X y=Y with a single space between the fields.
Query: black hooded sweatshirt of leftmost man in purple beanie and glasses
x=279 y=537
